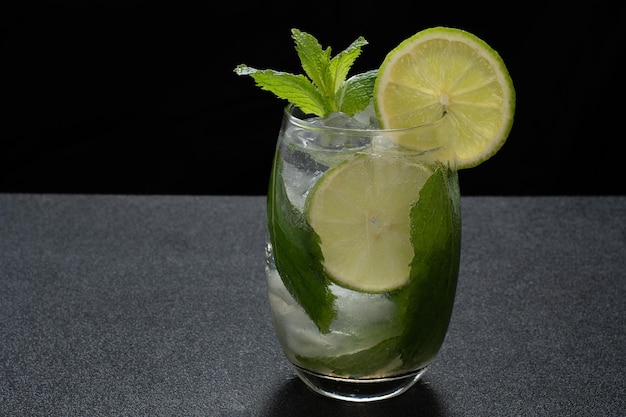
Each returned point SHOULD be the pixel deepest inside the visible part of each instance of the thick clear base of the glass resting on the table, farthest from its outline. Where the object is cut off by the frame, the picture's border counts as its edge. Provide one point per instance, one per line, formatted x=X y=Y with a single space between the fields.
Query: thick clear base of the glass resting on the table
x=358 y=390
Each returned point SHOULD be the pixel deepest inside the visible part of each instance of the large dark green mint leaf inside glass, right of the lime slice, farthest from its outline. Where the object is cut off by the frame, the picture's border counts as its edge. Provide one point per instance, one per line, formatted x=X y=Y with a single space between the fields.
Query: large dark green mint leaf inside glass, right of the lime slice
x=425 y=305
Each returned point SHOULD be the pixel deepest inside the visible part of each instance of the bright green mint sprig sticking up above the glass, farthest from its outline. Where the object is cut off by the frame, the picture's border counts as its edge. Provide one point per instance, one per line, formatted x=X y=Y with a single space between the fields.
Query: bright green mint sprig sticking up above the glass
x=325 y=88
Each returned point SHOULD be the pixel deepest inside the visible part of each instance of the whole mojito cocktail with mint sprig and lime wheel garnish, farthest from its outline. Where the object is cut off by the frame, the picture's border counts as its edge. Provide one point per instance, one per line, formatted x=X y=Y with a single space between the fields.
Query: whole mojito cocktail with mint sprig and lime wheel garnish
x=363 y=205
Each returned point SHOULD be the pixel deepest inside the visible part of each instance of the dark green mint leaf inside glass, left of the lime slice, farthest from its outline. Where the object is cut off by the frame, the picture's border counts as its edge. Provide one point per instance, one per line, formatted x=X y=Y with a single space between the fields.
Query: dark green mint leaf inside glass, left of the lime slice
x=297 y=254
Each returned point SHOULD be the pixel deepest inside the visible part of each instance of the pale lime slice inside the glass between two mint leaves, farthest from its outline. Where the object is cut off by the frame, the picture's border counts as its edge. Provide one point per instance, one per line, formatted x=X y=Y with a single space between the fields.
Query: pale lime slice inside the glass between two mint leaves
x=360 y=210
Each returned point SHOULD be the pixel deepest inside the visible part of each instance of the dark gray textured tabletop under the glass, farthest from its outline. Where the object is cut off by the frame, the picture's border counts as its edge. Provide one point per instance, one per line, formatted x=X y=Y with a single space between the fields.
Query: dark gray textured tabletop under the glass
x=155 y=306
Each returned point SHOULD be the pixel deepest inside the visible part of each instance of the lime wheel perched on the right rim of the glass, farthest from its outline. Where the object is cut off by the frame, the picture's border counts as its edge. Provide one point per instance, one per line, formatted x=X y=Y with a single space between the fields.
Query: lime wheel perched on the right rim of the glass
x=447 y=70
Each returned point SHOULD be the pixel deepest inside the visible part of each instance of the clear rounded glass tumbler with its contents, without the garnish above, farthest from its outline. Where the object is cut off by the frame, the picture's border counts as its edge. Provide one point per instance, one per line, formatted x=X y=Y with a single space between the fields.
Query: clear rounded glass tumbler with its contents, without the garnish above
x=362 y=256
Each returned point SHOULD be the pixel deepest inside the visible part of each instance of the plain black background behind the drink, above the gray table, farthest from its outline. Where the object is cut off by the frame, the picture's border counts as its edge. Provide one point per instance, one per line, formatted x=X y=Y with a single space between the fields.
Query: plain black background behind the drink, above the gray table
x=138 y=97
